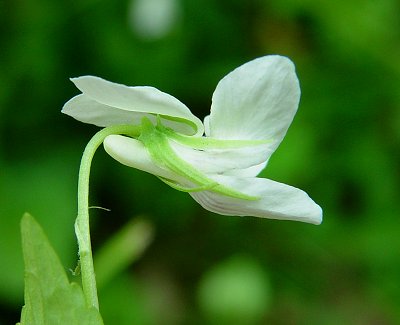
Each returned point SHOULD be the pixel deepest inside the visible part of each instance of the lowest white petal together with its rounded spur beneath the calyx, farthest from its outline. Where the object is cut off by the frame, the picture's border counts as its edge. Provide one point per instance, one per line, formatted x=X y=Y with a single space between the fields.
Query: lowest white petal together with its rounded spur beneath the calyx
x=277 y=200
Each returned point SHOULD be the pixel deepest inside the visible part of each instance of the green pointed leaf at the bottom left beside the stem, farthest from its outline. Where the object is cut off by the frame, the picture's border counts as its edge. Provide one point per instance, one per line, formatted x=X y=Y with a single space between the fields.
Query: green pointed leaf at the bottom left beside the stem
x=49 y=296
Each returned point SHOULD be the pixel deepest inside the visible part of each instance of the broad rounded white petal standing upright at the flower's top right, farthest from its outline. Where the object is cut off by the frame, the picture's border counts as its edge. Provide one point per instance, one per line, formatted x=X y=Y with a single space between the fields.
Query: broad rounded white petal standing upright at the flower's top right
x=258 y=100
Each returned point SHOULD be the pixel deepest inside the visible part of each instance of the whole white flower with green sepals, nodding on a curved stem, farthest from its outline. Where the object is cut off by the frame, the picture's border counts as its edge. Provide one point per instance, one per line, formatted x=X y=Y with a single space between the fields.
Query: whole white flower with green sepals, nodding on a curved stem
x=252 y=108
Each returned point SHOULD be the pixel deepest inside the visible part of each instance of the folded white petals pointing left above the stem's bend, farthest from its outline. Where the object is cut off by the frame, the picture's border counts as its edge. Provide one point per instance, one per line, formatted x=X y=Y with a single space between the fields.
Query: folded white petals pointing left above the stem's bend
x=123 y=99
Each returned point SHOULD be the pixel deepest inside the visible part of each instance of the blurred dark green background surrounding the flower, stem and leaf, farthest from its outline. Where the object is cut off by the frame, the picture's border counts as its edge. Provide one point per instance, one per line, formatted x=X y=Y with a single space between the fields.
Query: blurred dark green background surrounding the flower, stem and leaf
x=201 y=268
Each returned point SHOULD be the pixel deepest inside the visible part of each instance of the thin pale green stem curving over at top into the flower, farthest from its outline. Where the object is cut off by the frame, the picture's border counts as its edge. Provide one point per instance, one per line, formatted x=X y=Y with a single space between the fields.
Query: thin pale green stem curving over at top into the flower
x=82 y=228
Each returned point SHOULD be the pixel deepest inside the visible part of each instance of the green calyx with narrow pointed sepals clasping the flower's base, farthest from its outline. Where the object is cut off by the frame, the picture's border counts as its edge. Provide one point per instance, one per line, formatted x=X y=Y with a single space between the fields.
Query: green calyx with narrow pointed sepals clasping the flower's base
x=156 y=139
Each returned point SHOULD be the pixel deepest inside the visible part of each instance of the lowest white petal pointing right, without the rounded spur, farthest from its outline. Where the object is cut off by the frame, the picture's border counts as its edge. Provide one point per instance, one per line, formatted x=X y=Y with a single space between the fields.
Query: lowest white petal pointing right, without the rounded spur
x=278 y=201
